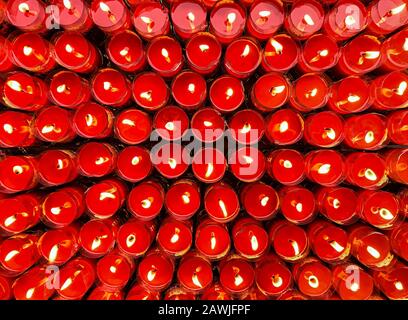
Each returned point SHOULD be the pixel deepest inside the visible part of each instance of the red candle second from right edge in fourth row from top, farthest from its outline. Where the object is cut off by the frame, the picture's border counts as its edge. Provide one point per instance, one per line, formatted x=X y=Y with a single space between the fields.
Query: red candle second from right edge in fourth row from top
x=367 y=131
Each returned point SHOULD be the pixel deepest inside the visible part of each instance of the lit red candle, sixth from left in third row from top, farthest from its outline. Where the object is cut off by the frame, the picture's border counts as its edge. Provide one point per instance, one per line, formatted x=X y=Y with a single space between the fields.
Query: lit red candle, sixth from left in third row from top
x=227 y=94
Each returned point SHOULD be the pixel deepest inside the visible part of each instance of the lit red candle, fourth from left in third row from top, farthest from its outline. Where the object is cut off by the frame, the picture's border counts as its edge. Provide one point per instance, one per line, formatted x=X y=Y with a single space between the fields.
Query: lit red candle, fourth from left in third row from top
x=150 y=91
